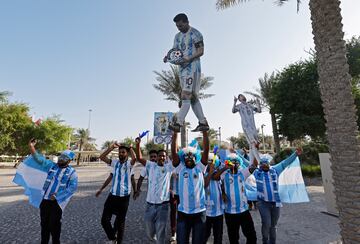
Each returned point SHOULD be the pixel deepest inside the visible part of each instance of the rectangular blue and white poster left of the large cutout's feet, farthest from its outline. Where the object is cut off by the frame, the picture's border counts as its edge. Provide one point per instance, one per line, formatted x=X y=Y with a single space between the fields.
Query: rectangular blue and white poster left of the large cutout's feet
x=162 y=134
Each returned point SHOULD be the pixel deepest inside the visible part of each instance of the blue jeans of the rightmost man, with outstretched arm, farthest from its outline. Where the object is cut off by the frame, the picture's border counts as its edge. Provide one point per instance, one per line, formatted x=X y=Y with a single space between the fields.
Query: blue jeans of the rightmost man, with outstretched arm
x=269 y=217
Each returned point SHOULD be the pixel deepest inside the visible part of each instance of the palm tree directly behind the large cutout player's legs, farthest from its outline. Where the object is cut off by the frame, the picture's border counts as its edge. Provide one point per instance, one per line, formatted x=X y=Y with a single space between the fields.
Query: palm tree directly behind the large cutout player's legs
x=169 y=85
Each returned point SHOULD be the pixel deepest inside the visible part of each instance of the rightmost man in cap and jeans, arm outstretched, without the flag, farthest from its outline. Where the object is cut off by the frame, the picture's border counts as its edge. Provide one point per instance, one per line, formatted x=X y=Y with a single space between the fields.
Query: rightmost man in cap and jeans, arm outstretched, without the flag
x=267 y=183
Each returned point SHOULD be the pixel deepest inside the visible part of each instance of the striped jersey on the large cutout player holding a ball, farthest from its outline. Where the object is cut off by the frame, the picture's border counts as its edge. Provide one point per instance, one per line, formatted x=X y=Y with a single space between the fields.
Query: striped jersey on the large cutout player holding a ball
x=186 y=43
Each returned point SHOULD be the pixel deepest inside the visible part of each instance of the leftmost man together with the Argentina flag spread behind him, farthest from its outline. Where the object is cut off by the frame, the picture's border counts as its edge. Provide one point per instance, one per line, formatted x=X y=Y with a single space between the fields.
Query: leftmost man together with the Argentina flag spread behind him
x=49 y=186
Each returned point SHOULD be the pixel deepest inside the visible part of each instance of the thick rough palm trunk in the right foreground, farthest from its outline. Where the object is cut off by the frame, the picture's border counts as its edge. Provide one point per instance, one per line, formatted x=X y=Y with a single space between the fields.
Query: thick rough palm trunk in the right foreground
x=340 y=113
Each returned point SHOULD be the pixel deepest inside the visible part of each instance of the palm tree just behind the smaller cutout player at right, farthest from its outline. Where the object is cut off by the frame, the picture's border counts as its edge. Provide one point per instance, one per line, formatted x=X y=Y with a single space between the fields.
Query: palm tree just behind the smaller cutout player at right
x=264 y=95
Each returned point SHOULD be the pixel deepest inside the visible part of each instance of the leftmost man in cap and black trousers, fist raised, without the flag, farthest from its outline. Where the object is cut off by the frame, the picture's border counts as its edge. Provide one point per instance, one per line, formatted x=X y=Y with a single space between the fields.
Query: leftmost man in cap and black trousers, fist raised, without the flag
x=60 y=185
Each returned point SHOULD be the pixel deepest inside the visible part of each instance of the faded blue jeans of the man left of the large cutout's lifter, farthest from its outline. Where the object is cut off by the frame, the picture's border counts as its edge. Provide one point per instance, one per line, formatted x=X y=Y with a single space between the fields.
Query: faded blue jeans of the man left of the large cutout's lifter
x=156 y=216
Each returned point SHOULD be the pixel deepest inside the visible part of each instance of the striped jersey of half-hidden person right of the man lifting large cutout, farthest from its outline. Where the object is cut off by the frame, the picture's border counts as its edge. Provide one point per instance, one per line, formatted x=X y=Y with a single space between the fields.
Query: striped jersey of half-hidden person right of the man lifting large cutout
x=214 y=202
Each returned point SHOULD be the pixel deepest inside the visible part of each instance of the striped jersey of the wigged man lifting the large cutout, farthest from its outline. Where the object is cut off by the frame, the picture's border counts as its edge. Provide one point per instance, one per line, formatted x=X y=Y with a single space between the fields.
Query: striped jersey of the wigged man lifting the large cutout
x=191 y=188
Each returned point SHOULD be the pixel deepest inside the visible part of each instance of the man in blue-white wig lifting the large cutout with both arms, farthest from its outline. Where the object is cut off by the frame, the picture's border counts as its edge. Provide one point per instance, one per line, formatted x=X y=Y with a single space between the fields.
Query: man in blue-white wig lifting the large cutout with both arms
x=189 y=165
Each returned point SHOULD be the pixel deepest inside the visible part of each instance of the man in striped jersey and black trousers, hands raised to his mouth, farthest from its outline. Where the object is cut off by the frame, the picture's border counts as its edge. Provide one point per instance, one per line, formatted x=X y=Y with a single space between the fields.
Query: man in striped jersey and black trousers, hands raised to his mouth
x=236 y=208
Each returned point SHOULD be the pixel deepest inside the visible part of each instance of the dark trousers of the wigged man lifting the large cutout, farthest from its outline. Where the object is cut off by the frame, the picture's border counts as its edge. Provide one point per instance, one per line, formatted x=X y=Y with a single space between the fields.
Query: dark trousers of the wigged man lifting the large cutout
x=190 y=222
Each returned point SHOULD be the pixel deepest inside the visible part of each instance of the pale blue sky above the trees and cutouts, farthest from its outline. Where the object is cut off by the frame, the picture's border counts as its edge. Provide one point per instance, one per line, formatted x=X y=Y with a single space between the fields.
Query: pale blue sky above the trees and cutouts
x=66 y=57
